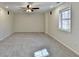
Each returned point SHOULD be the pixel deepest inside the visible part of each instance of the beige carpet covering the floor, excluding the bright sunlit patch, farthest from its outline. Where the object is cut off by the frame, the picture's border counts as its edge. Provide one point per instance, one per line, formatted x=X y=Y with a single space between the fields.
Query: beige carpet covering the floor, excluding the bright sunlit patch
x=25 y=44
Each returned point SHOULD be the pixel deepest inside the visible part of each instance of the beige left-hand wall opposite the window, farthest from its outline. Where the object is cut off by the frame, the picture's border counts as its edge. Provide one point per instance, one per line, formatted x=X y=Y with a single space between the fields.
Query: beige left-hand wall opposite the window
x=5 y=23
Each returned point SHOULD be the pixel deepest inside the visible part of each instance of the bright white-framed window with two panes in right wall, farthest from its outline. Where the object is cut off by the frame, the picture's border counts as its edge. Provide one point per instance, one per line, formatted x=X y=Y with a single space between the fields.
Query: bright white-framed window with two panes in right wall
x=65 y=19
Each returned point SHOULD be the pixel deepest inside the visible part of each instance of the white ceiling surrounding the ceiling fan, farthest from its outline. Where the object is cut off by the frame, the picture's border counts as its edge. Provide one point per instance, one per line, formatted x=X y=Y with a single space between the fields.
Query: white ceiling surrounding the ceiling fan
x=15 y=6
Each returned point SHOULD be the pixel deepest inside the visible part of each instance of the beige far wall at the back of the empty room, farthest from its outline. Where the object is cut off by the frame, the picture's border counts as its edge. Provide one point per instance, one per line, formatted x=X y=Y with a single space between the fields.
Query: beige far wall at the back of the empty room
x=29 y=23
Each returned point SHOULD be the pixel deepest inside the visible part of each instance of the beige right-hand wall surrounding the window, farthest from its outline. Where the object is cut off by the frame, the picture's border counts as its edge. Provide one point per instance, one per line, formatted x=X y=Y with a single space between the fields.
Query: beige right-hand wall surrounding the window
x=71 y=40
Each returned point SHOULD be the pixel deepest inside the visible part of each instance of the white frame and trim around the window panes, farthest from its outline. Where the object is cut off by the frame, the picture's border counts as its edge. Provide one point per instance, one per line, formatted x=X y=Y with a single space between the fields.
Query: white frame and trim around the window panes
x=60 y=19
